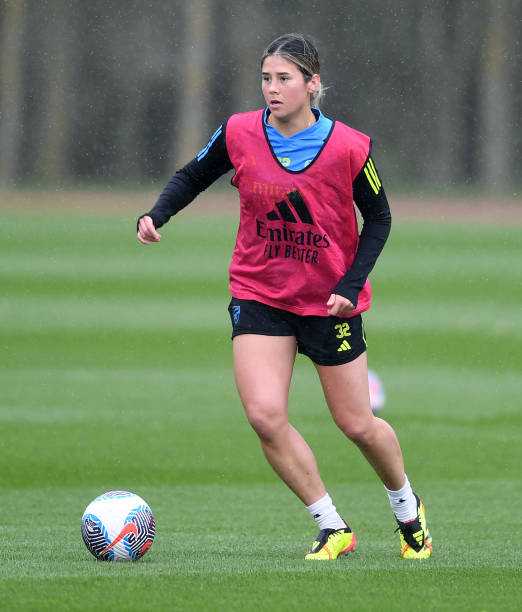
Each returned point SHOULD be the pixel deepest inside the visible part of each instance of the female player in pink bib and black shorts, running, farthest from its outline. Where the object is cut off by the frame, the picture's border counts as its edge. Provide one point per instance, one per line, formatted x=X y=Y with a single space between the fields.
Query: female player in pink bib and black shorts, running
x=298 y=280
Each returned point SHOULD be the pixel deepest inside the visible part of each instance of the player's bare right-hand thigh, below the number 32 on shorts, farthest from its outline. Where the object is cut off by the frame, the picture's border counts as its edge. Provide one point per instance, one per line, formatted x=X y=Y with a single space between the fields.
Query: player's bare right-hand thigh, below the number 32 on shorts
x=347 y=393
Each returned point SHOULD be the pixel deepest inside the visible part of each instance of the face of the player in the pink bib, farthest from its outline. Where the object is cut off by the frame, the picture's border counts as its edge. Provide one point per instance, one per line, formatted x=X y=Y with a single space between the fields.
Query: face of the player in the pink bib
x=286 y=92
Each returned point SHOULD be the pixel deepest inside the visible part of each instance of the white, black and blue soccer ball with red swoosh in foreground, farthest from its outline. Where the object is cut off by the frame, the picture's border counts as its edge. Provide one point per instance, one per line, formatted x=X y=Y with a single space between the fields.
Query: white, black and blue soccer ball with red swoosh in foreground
x=118 y=526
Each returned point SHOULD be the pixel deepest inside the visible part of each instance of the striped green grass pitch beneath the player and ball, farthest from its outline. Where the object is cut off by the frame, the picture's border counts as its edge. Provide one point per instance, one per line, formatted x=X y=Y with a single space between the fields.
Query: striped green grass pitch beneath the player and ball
x=116 y=374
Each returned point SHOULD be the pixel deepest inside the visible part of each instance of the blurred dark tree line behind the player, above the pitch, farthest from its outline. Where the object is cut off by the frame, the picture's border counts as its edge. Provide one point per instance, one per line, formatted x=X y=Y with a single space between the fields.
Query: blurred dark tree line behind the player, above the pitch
x=129 y=90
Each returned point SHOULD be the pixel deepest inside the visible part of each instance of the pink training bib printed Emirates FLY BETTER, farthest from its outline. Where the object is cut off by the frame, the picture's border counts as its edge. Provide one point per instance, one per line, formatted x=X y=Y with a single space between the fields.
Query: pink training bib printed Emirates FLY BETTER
x=298 y=231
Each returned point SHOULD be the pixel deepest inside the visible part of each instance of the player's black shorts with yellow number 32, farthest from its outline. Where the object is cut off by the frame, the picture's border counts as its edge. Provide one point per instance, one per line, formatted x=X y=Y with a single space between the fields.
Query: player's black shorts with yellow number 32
x=326 y=340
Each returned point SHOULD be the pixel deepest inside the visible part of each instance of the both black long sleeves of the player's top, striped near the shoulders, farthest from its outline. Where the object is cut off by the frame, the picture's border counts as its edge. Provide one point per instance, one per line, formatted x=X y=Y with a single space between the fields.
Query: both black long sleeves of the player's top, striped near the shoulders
x=370 y=199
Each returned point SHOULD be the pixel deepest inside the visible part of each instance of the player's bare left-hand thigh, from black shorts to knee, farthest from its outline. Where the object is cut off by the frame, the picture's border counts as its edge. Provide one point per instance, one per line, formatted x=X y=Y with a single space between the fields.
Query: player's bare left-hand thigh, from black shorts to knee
x=263 y=368
